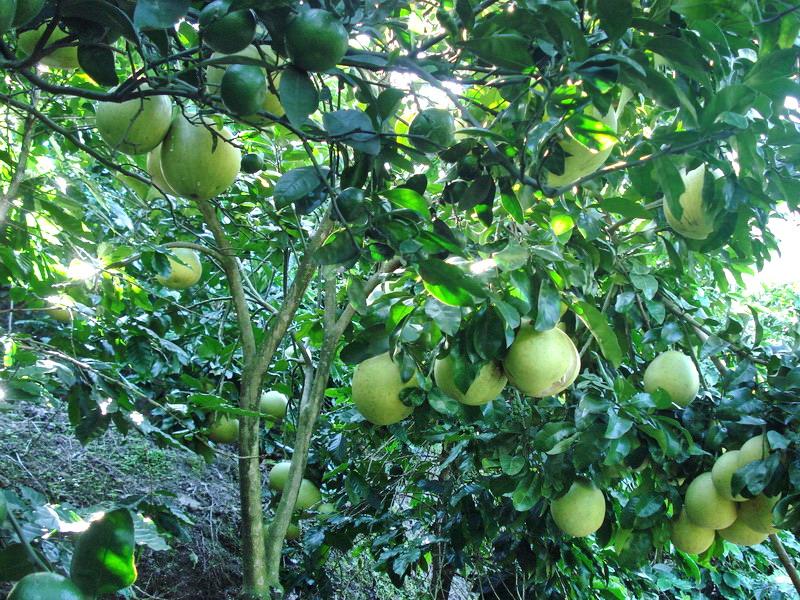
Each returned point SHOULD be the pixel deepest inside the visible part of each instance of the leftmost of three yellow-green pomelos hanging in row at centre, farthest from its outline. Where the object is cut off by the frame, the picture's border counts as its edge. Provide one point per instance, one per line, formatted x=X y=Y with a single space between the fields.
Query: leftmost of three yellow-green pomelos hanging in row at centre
x=376 y=390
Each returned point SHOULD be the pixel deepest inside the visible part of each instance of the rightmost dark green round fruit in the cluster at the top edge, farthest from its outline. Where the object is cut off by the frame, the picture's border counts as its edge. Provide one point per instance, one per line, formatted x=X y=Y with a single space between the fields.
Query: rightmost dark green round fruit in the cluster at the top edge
x=316 y=40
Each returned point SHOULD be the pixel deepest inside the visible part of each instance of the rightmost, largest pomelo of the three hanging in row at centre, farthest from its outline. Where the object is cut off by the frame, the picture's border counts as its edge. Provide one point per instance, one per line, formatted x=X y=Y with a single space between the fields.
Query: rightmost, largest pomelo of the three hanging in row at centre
x=542 y=363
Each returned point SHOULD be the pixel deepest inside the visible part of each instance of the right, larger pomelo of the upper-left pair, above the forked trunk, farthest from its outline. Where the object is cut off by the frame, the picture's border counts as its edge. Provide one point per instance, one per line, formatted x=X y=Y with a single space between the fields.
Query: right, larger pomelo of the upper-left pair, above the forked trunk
x=197 y=159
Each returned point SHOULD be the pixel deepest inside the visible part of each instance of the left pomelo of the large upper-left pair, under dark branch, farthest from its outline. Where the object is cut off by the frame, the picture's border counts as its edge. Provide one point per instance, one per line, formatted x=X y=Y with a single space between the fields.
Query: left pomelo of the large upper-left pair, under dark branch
x=135 y=126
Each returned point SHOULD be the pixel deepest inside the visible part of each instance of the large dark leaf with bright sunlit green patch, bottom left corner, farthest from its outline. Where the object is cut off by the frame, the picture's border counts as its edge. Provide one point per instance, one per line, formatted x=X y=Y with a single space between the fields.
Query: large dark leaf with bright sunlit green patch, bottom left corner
x=103 y=559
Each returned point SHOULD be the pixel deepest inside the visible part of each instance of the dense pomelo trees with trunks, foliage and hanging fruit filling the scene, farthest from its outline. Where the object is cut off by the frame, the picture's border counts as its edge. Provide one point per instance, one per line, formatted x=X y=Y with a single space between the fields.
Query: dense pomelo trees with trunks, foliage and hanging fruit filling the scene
x=452 y=279
